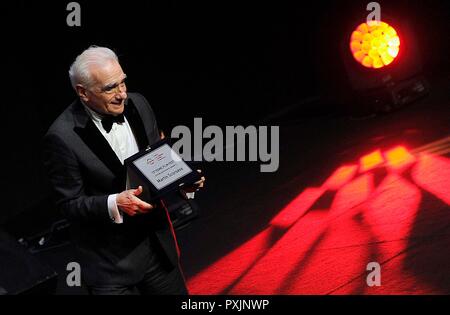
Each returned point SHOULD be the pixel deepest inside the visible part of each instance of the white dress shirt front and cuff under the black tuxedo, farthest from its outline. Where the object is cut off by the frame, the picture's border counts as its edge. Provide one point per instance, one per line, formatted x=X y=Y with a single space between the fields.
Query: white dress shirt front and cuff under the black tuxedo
x=123 y=143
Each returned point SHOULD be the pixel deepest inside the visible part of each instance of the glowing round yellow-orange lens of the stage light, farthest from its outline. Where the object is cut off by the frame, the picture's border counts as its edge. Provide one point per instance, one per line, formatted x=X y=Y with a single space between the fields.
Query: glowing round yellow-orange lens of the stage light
x=374 y=45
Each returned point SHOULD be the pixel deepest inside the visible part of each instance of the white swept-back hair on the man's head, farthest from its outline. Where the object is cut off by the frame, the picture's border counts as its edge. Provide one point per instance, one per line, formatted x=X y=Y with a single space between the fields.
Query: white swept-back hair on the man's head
x=80 y=73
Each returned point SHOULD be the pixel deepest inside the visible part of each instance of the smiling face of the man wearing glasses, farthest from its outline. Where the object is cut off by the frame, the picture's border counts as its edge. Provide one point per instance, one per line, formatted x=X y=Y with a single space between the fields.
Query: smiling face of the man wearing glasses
x=108 y=92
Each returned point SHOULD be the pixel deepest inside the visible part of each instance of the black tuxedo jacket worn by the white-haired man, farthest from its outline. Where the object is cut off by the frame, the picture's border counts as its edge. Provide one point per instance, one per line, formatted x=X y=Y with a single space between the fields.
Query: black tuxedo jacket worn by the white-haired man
x=83 y=170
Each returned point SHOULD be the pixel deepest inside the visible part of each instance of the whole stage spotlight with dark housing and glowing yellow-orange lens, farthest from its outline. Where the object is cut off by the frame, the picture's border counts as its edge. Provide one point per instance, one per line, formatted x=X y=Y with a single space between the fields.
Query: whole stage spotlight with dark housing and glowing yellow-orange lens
x=383 y=64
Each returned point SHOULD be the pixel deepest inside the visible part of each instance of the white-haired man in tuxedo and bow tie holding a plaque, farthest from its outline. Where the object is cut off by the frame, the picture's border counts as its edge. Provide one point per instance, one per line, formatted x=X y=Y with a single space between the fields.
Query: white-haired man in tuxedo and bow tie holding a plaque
x=126 y=245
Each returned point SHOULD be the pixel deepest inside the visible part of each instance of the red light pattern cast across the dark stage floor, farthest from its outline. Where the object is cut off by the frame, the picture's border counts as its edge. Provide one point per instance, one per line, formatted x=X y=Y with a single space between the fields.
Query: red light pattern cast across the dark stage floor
x=294 y=253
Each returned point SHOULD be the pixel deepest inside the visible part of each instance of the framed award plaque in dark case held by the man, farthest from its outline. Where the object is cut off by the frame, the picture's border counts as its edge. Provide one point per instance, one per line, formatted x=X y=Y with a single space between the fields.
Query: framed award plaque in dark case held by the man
x=159 y=170
